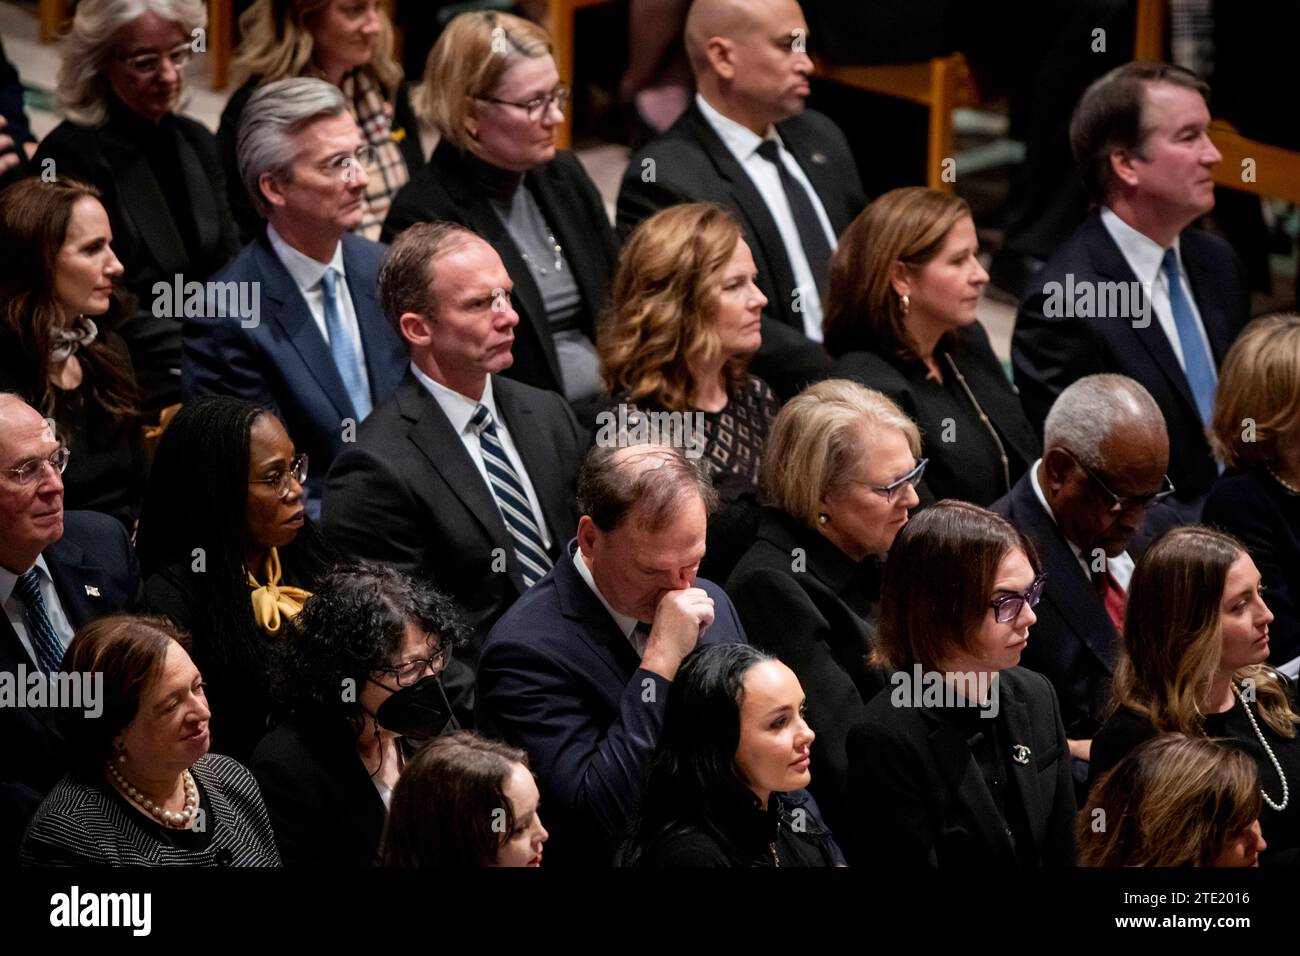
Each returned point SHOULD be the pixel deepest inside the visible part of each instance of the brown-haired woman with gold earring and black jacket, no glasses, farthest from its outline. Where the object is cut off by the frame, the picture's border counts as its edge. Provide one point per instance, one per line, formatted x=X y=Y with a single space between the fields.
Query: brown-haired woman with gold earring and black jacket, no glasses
x=900 y=318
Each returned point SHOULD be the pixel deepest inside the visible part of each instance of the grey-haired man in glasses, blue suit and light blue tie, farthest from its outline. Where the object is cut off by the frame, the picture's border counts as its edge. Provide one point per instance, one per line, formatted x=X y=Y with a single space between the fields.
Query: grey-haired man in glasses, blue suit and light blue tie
x=314 y=347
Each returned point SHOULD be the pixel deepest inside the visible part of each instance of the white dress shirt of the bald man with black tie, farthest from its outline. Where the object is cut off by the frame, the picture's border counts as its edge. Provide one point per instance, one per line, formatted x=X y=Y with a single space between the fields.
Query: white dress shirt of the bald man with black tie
x=744 y=145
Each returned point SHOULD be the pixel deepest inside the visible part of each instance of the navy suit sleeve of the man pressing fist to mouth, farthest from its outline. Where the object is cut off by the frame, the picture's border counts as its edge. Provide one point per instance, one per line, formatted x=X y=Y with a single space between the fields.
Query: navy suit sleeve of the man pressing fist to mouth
x=595 y=773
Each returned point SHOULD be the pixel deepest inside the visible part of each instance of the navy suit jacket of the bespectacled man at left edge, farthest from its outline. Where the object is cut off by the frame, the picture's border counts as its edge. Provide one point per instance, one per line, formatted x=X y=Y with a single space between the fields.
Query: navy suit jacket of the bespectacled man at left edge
x=96 y=574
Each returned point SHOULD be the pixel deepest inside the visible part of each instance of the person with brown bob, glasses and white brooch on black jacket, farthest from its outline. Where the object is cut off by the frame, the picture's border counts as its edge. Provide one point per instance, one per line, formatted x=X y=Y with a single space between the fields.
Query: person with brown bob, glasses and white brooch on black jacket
x=963 y=760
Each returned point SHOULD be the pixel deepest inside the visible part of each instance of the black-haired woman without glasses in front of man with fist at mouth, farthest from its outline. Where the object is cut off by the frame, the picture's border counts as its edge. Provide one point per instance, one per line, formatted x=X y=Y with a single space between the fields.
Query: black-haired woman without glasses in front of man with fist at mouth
x=726 y=786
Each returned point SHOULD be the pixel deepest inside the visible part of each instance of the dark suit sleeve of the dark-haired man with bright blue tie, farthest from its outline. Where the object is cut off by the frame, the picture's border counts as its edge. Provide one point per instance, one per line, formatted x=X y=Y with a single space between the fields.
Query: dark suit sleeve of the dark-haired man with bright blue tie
x=1048 y=356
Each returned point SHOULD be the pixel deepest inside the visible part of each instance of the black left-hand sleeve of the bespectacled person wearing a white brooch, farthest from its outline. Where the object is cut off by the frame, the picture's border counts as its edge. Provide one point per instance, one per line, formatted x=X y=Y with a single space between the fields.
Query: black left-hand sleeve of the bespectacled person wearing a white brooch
x=887 y=794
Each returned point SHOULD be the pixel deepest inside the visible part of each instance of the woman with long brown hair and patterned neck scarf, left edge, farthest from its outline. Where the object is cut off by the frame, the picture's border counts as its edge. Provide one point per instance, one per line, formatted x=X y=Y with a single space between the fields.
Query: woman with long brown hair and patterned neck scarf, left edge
x=58 y=347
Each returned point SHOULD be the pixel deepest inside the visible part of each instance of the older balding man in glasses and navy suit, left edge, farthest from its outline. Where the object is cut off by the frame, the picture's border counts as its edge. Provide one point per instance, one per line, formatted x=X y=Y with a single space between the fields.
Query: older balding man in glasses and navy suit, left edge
x=59 y=570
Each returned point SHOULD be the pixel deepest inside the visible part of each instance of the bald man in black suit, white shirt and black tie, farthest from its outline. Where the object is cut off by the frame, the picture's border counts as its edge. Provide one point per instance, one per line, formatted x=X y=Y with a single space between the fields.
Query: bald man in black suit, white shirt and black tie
x=748 y=144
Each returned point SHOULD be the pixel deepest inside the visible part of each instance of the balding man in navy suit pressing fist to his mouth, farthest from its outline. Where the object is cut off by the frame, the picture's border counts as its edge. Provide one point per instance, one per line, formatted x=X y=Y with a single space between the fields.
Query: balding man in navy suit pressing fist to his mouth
x=578 y=672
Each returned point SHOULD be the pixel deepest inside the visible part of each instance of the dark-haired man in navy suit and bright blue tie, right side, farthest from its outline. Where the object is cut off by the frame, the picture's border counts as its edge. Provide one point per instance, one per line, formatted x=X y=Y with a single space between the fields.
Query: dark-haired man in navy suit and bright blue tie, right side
x=1136 y=291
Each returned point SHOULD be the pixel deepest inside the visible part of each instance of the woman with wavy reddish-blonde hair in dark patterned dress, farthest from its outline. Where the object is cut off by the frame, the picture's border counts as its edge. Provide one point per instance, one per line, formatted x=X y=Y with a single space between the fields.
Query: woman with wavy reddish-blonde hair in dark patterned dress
x=683 y=325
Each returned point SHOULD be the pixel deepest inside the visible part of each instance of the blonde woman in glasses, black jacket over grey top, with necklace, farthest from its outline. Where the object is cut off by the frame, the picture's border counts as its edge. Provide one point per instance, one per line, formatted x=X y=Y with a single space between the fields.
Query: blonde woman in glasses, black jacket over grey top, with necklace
x=492 y=90
